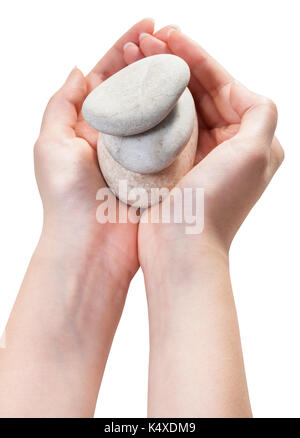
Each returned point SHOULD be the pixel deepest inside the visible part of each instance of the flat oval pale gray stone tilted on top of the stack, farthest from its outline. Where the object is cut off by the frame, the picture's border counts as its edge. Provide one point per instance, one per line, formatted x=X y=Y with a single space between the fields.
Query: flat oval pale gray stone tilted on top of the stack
x=137 y=97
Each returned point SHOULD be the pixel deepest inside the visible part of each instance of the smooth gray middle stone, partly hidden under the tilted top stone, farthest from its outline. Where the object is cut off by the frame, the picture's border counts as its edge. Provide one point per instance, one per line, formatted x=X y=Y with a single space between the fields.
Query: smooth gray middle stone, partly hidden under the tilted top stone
x=156 y=149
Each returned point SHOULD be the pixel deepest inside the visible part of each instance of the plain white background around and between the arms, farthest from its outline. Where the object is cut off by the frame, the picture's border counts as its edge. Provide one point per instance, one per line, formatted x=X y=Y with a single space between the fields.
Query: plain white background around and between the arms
x=258 y=42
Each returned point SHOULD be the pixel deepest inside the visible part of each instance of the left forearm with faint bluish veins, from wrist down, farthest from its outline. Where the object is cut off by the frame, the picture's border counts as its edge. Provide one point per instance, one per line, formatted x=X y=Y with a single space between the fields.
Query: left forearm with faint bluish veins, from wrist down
x=61 y=328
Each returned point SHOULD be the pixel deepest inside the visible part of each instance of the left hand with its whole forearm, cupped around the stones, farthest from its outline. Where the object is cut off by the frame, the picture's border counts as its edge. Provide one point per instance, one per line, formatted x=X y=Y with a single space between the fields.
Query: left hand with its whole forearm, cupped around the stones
x=60 y=331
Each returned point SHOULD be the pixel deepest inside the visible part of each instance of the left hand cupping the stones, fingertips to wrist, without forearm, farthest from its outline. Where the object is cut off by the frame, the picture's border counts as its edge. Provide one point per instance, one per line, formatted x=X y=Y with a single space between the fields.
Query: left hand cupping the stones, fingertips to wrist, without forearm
x=67 y=169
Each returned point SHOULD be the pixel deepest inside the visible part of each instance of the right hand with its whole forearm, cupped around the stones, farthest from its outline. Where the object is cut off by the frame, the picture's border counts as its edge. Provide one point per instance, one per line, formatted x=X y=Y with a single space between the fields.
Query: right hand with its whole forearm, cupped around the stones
x=196 y=364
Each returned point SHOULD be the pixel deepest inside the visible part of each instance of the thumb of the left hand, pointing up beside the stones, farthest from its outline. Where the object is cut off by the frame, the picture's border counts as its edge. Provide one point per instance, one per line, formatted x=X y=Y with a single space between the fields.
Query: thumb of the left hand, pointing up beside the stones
x=62 y=110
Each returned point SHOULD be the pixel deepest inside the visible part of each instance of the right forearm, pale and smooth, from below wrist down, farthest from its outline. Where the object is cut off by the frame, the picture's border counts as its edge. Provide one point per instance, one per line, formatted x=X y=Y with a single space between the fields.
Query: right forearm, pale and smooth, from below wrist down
x=196 y=364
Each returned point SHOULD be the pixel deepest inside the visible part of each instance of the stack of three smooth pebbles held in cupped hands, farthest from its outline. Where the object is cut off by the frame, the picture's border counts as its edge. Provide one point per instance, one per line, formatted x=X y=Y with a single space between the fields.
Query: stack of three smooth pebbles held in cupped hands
x=147 y=125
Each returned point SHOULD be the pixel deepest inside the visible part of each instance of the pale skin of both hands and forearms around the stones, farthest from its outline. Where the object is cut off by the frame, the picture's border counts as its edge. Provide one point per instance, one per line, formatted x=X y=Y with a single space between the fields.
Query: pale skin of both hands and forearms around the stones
x=61 y=328
